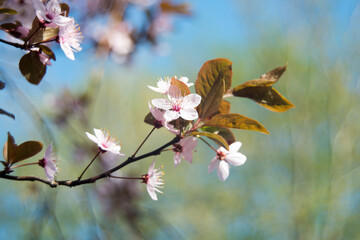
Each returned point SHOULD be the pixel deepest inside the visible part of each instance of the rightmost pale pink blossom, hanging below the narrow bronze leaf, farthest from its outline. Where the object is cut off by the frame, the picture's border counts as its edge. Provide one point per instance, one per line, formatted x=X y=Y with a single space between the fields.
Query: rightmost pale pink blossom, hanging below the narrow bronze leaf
x=225 y=158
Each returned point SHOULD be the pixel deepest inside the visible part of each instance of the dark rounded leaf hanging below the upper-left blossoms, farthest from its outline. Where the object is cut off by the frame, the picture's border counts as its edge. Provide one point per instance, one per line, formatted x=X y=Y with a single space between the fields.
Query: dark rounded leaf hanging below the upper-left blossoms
x=32 y=68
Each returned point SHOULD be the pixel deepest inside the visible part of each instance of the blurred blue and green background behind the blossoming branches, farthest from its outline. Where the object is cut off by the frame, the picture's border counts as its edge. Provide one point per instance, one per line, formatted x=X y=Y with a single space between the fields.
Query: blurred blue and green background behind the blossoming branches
x=300 y=182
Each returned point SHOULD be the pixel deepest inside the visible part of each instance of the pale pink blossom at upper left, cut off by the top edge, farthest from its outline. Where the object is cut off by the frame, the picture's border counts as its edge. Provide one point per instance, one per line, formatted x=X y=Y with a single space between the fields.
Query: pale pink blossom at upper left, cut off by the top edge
x=50 y=14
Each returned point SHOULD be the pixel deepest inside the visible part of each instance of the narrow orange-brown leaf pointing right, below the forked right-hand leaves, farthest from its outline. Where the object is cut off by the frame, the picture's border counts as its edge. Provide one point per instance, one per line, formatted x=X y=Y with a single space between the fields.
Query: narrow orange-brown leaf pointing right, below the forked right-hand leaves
x=235 y=120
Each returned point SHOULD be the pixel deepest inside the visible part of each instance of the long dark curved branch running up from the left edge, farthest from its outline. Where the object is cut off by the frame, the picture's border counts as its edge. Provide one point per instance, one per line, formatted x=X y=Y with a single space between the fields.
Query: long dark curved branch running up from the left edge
x=74 y=183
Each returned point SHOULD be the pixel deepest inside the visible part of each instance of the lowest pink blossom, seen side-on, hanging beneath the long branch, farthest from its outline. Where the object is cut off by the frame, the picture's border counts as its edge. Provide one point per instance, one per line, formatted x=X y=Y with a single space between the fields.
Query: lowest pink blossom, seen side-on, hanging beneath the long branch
x=153 y=181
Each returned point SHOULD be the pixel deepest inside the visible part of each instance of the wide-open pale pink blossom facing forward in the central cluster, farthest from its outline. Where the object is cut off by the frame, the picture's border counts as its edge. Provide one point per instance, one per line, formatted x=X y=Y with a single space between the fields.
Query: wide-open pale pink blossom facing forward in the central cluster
x=178 y=105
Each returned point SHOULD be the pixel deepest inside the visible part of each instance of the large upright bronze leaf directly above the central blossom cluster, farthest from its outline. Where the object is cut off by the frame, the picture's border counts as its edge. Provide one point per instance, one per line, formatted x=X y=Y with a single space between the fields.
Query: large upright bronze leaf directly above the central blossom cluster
x=209 y=76
